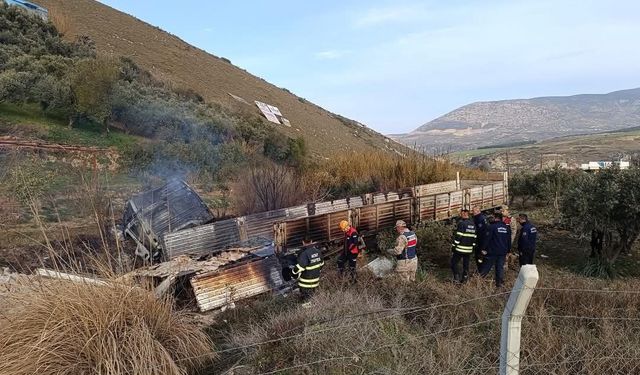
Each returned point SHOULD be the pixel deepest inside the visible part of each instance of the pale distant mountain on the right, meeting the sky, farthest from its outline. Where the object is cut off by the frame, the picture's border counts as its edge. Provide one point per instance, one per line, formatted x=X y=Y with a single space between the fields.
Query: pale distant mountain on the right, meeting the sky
x=510 y=121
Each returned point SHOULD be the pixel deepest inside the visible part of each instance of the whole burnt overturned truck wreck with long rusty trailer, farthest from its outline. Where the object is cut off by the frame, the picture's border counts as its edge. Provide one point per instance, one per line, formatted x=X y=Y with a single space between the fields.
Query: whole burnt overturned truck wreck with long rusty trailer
x=216 y=263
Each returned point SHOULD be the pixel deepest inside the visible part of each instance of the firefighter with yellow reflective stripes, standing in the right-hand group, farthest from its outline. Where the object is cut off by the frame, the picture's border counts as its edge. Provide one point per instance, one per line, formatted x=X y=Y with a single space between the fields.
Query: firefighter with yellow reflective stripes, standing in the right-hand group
x=464 y=241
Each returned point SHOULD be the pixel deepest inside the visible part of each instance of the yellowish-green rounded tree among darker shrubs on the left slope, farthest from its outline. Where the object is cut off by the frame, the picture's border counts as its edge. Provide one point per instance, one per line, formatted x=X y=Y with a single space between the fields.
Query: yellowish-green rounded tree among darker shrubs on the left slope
x=92 y=83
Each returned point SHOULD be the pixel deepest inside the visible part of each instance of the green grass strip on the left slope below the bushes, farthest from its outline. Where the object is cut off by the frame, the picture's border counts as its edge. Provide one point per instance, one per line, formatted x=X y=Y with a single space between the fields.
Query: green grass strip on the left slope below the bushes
x=29 y=121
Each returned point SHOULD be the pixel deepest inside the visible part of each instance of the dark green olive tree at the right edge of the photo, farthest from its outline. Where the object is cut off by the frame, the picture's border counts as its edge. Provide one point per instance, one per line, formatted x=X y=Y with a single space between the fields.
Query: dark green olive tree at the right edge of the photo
x=607 y=202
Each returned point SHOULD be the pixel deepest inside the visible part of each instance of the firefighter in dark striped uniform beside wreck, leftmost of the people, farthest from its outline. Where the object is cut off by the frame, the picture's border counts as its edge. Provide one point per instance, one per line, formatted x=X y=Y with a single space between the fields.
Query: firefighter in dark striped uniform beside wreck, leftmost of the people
x=307 y=269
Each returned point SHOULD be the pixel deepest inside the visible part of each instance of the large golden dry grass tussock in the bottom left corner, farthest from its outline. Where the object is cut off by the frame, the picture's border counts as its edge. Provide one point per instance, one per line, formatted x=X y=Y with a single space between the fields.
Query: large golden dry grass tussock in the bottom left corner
x=71 y=328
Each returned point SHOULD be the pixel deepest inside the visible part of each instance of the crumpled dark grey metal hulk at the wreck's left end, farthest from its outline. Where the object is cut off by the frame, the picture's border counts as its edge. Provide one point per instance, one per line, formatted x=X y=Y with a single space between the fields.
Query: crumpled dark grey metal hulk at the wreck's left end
x=151 y=215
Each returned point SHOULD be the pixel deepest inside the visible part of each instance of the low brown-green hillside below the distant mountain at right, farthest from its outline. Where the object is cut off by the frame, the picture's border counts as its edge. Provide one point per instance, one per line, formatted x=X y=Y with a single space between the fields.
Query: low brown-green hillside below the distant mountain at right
x=571 y=150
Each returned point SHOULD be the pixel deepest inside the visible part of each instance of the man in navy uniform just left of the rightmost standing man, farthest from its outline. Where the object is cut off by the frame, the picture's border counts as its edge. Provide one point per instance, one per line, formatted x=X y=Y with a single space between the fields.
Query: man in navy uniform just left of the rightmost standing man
x=497 y=245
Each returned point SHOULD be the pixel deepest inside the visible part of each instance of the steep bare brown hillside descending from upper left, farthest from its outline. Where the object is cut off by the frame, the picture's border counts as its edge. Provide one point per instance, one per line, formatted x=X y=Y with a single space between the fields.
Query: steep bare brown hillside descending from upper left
x=170 y=59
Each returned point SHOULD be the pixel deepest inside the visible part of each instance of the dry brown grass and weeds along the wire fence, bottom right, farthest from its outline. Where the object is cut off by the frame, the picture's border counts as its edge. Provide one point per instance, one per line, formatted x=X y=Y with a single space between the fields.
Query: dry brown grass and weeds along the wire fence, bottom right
x=340 y=335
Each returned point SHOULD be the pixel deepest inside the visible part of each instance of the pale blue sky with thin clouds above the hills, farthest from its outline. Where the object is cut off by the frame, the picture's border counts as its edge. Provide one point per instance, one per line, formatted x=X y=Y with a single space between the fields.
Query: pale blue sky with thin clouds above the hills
x=395 y=65
